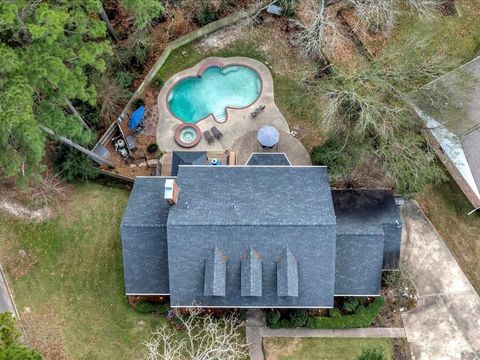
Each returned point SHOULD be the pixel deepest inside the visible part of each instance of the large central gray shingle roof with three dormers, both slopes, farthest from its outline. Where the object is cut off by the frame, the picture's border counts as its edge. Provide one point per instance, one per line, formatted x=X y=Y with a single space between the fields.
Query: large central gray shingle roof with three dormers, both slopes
x=253 y=214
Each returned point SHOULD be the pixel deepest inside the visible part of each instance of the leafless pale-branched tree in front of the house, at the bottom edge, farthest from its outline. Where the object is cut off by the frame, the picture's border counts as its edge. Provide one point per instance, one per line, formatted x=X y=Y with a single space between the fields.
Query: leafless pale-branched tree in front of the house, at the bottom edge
x=205 y=338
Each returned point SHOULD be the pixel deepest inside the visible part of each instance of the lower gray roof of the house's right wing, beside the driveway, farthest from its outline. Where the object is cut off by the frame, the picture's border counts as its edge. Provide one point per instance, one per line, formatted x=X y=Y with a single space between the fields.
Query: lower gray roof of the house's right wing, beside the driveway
x=368 y=239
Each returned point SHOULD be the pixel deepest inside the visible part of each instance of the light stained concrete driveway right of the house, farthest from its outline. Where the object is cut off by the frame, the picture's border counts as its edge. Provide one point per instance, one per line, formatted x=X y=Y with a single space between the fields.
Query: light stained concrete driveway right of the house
x=446 y=322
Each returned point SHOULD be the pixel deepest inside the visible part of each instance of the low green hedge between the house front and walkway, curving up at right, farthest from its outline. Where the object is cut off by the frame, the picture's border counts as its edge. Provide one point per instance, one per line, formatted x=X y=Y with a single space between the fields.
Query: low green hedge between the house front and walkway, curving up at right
x=363 y=318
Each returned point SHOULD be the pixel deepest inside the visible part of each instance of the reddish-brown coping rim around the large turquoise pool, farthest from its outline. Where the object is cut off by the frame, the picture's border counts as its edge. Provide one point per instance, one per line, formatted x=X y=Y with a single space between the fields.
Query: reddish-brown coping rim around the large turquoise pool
x=203 y=66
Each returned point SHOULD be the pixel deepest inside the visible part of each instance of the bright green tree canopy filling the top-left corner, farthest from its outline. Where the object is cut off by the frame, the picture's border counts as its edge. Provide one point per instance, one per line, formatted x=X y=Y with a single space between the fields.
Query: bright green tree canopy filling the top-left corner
x=49 y=51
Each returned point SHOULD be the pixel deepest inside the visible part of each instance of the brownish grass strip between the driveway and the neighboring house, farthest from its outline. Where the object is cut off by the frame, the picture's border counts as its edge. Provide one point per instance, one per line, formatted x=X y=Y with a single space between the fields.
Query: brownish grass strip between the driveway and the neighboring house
x=447 y=208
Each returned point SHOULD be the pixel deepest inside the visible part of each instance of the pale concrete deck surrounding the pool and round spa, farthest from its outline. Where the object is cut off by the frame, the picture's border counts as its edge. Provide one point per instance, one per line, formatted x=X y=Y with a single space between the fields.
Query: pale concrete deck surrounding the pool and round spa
x=239 y=121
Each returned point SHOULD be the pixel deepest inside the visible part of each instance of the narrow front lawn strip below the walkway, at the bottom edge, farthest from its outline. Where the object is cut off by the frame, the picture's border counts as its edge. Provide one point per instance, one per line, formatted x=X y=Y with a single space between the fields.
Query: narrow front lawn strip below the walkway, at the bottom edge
x=323 y=348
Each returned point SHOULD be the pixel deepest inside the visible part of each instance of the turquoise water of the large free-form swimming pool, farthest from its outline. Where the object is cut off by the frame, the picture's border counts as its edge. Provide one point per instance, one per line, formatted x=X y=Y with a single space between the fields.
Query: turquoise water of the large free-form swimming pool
x=192 y=99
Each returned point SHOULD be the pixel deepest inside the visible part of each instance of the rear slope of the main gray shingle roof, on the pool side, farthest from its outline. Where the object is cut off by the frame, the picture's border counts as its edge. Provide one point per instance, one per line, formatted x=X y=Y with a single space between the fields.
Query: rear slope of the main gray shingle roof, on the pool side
x=243 y=195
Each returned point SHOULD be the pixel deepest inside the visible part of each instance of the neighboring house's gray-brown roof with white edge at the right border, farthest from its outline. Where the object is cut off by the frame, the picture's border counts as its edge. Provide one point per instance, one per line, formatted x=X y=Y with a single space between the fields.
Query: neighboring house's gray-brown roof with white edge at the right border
x=450 y=107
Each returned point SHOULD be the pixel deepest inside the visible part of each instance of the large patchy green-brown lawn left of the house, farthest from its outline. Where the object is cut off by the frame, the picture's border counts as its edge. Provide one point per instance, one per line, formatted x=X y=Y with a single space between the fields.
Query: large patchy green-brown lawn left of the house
x=67 y=279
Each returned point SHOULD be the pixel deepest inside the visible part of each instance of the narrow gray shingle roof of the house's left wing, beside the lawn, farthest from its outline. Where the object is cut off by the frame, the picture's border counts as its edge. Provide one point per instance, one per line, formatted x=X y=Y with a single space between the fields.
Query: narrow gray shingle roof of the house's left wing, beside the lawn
x=144 y=238
